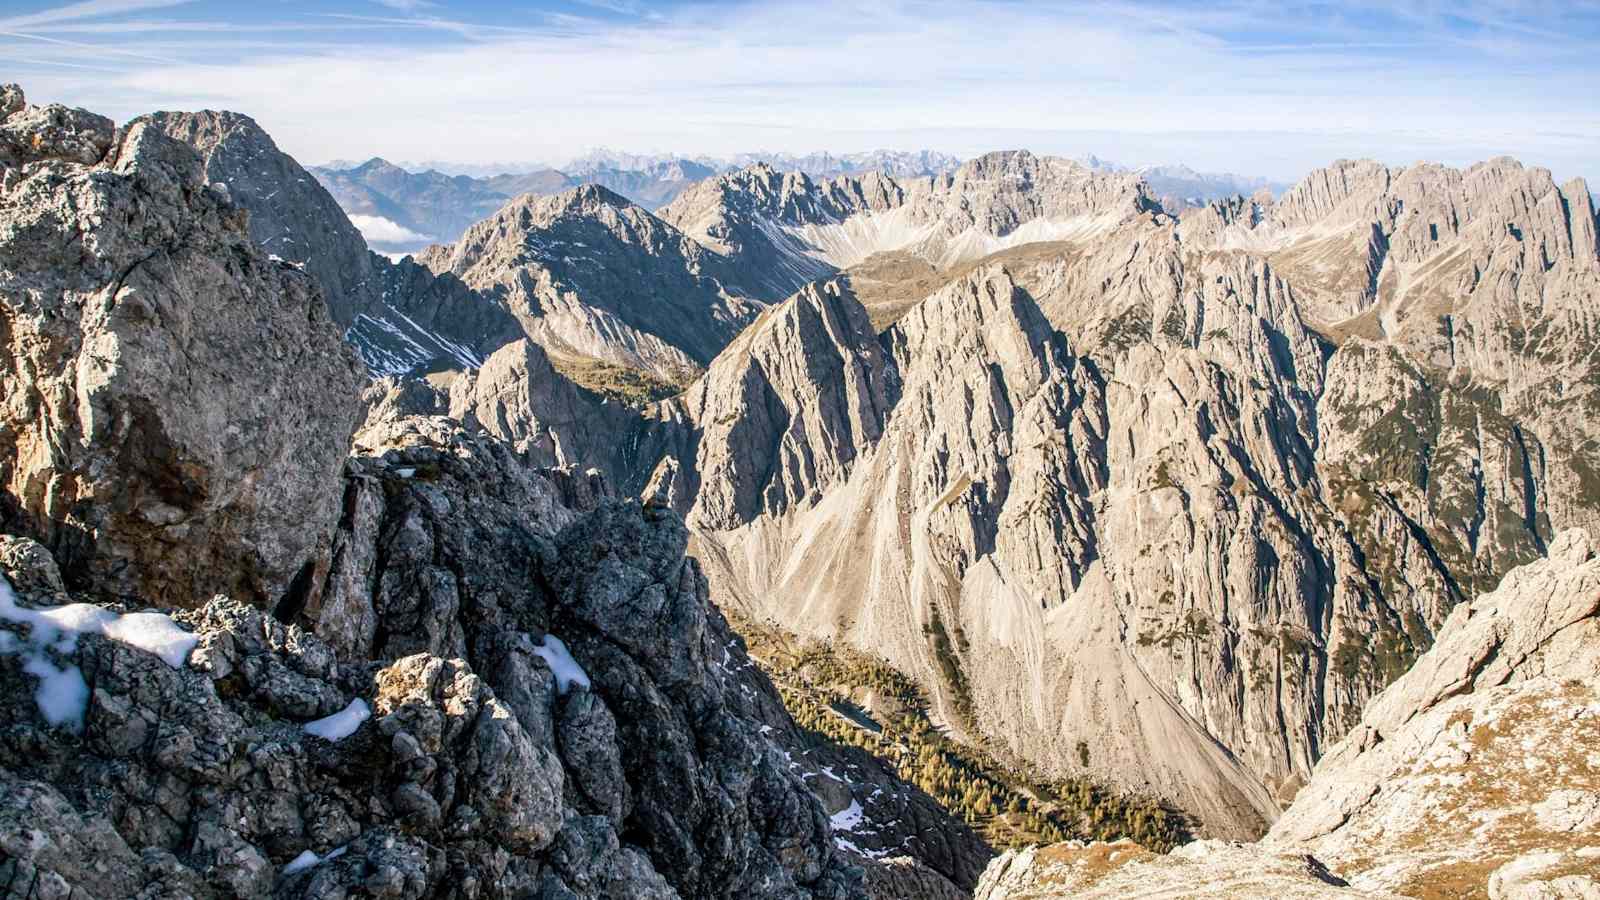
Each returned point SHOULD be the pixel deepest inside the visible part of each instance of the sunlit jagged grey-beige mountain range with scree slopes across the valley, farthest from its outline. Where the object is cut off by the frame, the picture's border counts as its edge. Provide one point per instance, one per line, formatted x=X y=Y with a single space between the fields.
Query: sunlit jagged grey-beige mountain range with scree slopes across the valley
x=1084 y=385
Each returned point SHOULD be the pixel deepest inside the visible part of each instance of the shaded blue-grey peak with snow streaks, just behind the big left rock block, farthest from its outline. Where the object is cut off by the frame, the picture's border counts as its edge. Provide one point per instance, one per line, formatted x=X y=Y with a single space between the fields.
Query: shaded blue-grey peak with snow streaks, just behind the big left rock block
x=399 y=316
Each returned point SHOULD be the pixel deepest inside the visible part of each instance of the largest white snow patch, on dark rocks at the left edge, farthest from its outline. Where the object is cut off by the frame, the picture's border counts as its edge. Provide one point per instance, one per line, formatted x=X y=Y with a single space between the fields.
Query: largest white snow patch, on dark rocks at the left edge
x=63 y=694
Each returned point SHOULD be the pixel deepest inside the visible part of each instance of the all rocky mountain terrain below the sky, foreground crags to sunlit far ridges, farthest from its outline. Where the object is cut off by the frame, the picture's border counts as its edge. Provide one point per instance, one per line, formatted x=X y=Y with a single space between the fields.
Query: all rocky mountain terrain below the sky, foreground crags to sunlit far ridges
x=1270 y=518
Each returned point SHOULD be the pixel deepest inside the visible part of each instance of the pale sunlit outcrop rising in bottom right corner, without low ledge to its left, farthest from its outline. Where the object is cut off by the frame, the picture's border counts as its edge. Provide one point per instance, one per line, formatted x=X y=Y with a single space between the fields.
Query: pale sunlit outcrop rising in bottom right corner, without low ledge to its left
x=1474 y=768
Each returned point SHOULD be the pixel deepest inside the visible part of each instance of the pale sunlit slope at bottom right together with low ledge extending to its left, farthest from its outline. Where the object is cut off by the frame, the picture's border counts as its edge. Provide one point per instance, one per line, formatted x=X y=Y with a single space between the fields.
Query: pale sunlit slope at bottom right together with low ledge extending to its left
x=1471 y=776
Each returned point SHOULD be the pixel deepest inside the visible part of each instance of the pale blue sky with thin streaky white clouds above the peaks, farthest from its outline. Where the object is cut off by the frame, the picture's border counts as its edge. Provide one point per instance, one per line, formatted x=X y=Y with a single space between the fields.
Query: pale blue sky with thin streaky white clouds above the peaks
x=1270 y=89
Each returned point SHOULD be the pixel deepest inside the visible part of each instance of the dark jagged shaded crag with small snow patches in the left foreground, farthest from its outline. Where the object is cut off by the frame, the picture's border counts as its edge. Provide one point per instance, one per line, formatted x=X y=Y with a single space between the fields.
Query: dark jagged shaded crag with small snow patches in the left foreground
x=516 y=688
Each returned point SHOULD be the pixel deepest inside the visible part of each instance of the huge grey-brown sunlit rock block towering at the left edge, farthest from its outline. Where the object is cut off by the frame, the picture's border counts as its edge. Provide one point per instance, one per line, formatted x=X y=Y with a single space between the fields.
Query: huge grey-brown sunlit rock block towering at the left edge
x=177 y=404
